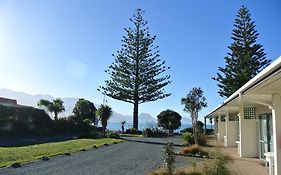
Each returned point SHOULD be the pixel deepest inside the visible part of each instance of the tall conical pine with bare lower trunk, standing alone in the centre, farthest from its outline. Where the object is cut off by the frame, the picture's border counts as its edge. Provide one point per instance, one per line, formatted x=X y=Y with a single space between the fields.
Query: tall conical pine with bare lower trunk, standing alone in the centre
x=135 y=75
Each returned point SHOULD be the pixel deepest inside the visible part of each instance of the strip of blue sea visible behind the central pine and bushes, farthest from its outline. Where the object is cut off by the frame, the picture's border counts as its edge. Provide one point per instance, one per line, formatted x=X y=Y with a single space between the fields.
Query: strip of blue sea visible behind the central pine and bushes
x=142 y=126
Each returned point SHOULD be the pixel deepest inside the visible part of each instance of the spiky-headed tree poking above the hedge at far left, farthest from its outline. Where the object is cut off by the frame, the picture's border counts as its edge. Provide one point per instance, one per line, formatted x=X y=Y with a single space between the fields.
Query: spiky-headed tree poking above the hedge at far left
x=56 y=106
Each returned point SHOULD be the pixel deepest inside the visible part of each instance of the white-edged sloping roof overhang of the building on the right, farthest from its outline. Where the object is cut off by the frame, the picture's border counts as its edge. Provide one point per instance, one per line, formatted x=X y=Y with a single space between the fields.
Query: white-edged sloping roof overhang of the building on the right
x=258 y=90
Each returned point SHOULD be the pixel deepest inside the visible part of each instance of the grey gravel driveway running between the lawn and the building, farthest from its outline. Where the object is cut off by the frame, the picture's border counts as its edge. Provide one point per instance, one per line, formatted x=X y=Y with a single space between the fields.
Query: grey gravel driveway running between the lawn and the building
x=138 y=156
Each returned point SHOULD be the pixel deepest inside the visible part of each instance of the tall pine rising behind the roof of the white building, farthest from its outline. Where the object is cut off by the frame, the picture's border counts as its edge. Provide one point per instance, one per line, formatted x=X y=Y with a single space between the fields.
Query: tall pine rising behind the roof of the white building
x=246 y=57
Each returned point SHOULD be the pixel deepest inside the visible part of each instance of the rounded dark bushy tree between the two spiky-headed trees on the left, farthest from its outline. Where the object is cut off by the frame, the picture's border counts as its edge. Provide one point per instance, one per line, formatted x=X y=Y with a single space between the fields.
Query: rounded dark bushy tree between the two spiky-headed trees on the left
x=85 y=109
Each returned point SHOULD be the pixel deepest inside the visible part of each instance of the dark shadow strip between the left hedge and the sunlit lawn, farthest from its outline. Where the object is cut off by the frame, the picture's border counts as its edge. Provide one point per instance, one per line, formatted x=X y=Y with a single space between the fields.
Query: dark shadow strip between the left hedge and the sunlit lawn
x=25 y=141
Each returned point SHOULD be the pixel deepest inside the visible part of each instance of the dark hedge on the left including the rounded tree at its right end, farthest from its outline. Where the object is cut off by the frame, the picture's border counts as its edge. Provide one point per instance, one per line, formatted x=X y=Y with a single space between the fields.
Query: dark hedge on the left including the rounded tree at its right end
x=29 y=121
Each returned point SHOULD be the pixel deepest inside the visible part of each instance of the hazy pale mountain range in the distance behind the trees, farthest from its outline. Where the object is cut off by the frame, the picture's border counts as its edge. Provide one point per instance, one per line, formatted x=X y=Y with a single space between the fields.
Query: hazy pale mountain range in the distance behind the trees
x=69 y=103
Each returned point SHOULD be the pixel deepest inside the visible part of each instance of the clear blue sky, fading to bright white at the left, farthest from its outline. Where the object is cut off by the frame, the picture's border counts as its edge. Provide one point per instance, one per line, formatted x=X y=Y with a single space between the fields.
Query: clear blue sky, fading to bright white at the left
x=63 y=47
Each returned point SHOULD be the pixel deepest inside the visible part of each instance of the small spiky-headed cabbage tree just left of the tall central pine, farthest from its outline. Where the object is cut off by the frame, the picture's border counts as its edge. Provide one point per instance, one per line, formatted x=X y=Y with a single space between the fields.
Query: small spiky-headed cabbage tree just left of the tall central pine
x=104 y=112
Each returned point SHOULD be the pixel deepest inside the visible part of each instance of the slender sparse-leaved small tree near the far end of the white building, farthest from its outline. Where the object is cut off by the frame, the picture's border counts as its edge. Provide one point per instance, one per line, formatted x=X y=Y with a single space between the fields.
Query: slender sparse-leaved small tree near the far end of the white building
x=193 y=103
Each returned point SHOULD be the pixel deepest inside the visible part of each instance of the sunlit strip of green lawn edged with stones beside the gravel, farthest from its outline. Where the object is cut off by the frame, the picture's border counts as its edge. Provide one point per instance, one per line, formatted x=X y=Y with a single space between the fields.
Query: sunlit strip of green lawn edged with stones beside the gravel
x=24 y=154
